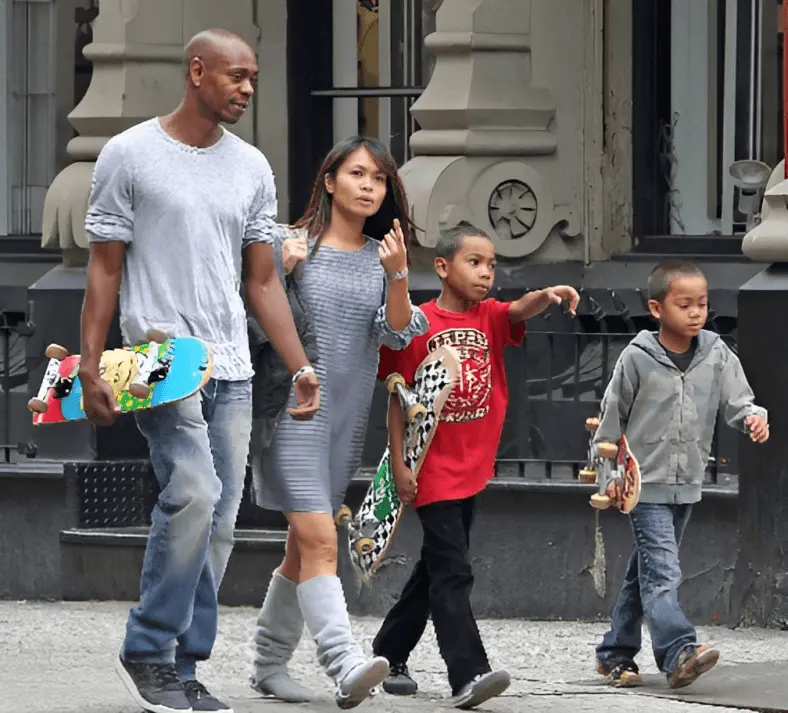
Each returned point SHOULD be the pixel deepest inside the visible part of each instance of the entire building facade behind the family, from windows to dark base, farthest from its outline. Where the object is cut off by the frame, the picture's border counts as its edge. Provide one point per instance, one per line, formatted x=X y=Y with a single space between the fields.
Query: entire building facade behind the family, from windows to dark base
x=574 y=131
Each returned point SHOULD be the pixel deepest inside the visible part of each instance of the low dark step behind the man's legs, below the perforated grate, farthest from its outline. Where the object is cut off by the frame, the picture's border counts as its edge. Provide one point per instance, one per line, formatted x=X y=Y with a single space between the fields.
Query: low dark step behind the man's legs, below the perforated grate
x=105 y=564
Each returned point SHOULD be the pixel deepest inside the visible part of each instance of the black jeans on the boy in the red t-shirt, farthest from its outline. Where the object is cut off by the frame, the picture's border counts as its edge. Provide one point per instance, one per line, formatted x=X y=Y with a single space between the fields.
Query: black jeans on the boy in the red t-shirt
x=440 y=585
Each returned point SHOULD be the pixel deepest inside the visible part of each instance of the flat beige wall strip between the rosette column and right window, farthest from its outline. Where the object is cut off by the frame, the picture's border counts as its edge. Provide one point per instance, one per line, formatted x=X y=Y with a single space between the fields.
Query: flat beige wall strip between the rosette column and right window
x=582 y=52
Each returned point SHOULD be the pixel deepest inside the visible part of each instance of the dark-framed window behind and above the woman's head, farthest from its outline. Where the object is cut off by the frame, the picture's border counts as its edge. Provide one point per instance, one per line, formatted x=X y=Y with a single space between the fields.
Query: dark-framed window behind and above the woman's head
x=355 y=66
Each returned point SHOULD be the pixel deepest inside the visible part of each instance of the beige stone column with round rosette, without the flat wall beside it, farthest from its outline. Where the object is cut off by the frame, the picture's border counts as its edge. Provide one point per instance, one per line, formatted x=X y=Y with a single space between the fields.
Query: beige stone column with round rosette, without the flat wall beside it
x=486 y=149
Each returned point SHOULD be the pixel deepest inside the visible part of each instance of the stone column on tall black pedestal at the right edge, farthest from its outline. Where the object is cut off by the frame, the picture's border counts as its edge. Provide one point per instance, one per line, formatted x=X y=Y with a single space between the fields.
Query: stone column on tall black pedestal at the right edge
x=759 y=595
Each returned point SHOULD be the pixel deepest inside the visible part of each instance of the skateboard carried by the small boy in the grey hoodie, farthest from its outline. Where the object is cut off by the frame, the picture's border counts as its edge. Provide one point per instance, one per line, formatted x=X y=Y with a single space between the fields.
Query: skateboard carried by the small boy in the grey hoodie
x=614 y=468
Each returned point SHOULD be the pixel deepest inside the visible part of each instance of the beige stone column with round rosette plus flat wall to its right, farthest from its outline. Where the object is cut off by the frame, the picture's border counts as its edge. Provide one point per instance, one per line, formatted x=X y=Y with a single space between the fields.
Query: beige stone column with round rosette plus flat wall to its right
x=513 y=128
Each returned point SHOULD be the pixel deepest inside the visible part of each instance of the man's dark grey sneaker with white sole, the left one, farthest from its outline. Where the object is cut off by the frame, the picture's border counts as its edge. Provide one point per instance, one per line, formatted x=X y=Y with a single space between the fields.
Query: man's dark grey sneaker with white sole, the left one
x=155 y=687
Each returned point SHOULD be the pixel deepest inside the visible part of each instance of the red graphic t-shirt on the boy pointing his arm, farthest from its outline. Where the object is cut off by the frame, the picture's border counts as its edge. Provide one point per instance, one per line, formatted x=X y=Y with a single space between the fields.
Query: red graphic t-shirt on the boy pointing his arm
x=461 y=458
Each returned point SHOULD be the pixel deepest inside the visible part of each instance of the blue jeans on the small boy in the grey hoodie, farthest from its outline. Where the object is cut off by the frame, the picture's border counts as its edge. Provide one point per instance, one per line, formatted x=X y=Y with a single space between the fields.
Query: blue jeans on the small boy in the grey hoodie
x=651 y=590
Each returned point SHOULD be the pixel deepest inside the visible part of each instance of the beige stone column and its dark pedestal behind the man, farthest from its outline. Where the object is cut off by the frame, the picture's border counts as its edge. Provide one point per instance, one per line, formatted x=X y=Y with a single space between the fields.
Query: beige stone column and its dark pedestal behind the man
x=138 y=73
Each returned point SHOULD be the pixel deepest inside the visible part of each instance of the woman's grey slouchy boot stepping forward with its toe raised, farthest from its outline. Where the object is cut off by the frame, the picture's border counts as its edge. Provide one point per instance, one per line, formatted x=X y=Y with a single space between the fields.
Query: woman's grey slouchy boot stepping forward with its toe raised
x=325 y=613
